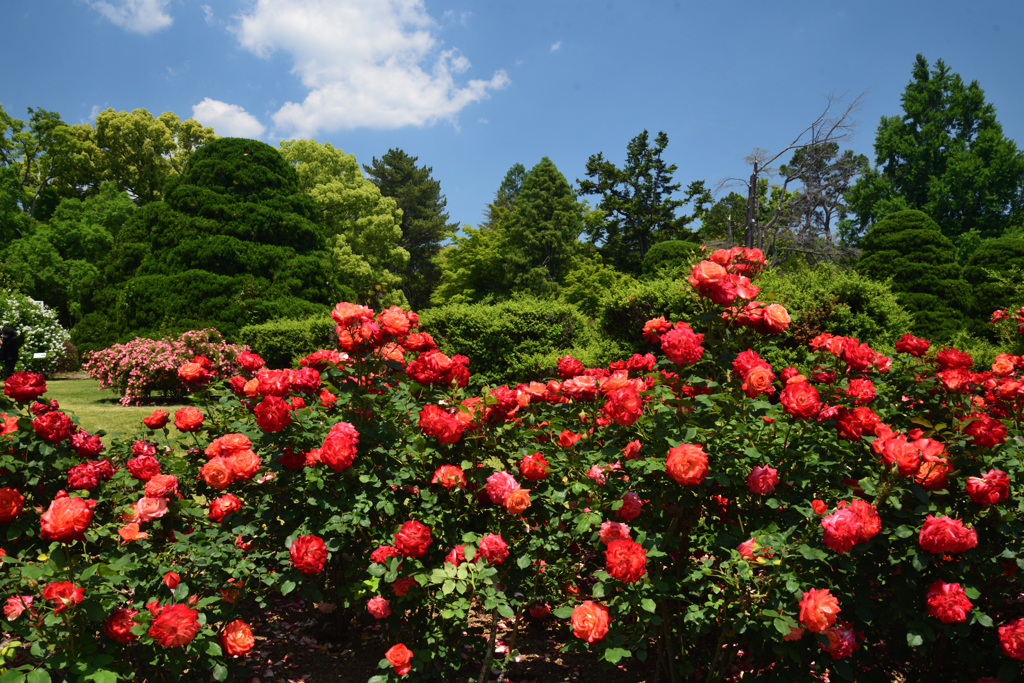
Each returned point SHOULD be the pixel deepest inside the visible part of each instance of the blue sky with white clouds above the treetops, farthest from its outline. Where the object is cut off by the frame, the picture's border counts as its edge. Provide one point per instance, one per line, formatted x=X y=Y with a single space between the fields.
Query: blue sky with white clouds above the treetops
x=474 y=88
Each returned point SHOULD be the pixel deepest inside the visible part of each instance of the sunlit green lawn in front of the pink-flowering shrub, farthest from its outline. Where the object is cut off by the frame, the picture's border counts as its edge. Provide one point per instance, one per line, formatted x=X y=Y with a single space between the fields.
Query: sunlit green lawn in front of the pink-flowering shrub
x=98 y=410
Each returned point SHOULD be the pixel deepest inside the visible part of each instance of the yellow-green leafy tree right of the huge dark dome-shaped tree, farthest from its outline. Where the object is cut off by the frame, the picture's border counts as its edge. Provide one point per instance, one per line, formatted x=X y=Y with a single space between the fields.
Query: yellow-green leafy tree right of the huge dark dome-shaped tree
x=363 y=227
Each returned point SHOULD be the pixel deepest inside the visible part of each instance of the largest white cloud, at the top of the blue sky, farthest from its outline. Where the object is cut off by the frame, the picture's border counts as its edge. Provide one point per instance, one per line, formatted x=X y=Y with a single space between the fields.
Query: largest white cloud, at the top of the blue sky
x=366 y=63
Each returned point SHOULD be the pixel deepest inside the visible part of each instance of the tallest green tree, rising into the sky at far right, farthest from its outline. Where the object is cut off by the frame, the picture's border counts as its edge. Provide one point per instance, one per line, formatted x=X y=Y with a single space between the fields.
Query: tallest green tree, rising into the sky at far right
x=946 y=156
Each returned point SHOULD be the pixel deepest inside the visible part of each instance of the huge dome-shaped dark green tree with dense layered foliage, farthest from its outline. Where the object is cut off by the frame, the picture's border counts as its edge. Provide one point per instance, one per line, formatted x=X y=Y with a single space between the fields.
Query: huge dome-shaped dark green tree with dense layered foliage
x=233 y=245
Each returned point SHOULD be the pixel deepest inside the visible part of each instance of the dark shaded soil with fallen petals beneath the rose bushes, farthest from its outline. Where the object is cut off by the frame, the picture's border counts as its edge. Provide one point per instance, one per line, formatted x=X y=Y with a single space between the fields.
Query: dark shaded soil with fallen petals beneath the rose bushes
x=297 y=643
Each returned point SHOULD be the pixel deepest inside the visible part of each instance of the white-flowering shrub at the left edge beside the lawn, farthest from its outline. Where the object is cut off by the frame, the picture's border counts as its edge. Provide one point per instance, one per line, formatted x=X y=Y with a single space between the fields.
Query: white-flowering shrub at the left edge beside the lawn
x=37 y=325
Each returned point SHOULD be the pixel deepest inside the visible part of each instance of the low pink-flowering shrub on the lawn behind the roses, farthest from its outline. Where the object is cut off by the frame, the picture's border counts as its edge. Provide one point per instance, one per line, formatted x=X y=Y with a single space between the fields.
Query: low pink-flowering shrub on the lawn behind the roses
x=144 y=367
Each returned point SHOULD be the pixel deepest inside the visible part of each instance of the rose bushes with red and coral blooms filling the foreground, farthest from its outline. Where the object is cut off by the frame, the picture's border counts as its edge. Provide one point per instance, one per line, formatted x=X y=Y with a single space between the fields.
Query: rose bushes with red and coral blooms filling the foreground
x=854 y=515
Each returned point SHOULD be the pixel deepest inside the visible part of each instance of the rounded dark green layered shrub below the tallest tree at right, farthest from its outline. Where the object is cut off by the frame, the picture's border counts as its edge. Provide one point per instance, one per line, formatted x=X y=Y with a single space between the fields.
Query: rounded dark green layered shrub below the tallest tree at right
x=909 y=248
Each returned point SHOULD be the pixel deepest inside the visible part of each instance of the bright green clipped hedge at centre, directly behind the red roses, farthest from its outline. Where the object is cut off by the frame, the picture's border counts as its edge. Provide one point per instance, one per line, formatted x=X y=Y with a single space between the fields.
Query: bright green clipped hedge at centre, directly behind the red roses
x=507 y=341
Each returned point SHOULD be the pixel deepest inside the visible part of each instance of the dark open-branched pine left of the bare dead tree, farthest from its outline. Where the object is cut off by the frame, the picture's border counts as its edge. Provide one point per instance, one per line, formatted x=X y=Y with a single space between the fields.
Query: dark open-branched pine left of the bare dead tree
x=637 y=200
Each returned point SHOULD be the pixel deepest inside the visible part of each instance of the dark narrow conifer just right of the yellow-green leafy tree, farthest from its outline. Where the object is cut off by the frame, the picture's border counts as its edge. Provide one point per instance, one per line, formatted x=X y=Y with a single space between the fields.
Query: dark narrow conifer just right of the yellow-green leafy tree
x=424 y=222
